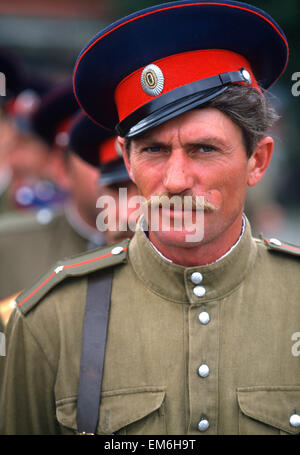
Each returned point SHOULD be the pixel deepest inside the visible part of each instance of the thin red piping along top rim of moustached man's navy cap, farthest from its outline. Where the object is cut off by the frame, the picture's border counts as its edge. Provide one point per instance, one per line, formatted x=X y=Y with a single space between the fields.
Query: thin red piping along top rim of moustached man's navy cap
x=173 y=7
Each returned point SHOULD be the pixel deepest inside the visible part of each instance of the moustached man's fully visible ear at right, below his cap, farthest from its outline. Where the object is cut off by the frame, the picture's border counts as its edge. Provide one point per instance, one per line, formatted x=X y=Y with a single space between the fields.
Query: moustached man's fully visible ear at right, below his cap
x=260 y=160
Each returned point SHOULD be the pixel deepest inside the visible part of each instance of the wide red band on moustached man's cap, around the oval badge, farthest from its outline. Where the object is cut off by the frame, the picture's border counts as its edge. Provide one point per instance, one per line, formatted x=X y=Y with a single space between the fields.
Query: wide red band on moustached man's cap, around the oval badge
x=178 y=70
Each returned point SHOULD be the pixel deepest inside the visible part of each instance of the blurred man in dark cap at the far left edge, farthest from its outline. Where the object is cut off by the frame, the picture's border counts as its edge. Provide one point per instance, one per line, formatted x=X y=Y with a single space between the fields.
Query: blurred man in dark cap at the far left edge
x=23 y=158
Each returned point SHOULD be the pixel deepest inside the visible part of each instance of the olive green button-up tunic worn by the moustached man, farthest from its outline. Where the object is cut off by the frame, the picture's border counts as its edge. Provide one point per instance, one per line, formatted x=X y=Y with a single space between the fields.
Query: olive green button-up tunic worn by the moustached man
x=156 y=344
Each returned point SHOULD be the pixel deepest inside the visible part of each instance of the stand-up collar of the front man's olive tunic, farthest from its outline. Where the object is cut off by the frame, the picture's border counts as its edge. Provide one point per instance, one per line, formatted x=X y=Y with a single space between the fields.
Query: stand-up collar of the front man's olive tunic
x=195 y=285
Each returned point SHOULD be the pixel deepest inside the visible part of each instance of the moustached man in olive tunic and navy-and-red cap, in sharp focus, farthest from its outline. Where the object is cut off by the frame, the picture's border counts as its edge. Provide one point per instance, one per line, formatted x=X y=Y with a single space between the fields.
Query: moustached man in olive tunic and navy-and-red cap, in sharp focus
x=199 y=339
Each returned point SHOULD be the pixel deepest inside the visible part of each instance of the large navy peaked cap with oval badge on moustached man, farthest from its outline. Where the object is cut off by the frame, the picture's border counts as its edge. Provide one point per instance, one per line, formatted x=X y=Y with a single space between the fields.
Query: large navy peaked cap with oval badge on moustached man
x=190 y=44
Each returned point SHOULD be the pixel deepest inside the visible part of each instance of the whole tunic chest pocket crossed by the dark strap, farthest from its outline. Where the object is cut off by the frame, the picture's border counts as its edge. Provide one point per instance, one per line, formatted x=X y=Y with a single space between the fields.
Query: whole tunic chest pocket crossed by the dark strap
x=128 y=411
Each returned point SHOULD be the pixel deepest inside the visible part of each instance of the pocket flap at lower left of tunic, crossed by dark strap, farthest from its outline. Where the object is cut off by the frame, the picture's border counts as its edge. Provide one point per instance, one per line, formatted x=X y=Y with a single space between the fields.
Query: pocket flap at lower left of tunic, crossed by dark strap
x=118 y=408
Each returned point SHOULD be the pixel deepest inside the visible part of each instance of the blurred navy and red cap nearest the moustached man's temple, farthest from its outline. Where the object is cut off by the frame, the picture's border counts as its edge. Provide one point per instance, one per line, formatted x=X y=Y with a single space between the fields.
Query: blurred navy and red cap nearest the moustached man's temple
x=98 y=147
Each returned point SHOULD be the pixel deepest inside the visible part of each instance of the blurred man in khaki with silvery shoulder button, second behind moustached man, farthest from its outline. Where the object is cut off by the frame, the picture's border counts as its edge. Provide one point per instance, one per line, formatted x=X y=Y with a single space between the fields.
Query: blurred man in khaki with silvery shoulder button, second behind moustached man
x=29 y=244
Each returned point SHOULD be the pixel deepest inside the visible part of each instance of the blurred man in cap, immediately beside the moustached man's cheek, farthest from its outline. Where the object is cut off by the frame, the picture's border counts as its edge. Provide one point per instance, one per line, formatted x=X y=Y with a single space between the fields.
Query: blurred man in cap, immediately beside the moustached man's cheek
x=100 y=149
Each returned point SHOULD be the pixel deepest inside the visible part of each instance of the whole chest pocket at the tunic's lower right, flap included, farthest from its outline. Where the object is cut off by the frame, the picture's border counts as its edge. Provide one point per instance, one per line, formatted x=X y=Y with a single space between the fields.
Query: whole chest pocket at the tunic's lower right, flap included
x=268 y=410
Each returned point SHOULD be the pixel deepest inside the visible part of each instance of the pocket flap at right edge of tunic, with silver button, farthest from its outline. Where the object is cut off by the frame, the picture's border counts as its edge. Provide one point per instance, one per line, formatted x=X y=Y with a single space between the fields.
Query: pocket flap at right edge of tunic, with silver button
x=271 y=405
